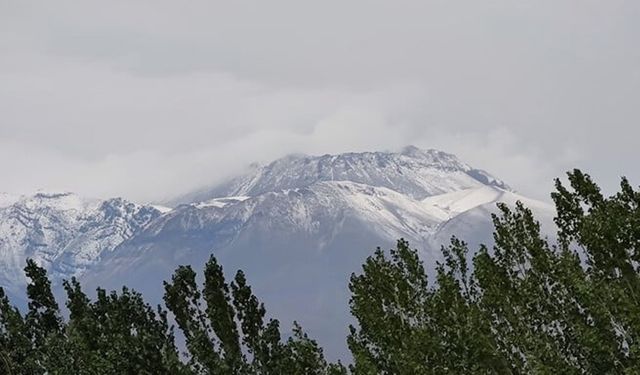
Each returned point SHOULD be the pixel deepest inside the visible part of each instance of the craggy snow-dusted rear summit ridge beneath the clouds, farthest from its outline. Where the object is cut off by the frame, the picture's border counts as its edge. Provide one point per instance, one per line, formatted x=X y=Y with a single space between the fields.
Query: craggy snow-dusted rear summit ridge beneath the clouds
x=414 y=172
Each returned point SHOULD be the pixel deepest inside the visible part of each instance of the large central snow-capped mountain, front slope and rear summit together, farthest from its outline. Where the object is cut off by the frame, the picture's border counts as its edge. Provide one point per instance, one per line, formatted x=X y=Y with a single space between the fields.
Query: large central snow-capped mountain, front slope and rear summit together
x=299 y=245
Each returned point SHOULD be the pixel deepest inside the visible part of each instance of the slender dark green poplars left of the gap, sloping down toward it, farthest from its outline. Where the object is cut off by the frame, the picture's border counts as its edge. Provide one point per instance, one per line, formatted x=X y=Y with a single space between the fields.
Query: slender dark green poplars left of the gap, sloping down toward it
x=226 y=333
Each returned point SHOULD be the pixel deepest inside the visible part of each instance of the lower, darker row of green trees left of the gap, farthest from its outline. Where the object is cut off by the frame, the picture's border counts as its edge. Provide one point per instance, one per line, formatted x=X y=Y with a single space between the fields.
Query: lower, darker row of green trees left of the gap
x=119 y=333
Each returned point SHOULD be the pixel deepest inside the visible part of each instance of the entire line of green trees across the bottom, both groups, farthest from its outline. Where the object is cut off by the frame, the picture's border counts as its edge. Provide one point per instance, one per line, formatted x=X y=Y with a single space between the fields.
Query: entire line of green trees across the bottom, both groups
x=527 y=305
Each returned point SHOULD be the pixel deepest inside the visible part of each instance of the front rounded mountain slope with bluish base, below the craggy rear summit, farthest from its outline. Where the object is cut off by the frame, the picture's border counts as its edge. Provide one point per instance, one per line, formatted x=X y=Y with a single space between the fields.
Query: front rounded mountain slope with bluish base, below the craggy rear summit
x=297 y=247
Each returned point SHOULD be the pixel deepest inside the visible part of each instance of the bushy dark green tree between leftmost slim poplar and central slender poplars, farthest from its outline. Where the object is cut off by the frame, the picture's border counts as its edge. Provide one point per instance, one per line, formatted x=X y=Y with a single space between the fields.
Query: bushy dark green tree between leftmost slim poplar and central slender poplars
x=119 y=334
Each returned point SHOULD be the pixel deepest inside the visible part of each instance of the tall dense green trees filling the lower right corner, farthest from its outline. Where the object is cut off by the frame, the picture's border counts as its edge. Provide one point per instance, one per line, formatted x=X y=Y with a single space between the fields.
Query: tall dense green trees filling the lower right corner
x=522 y=307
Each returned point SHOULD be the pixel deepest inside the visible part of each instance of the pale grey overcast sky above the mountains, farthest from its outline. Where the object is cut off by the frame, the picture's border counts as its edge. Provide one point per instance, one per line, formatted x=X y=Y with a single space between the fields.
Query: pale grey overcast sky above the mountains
x=145 y=99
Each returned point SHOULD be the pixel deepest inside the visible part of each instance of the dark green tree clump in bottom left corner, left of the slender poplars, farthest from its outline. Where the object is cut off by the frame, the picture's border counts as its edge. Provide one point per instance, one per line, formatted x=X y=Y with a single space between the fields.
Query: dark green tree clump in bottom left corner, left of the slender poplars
x=116 y=334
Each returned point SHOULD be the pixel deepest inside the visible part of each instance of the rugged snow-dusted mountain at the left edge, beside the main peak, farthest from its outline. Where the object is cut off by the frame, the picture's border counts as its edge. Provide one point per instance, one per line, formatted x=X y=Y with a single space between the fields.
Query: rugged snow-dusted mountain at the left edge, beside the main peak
x=62 y=232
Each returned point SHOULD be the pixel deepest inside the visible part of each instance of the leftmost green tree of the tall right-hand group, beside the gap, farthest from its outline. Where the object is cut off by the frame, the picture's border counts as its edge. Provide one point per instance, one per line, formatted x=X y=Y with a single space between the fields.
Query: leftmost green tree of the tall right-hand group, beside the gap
x=388 y=300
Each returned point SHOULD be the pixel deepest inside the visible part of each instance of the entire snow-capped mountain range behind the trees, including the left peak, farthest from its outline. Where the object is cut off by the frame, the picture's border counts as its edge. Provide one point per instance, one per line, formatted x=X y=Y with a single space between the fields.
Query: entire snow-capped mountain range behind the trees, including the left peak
x=298 y=227
